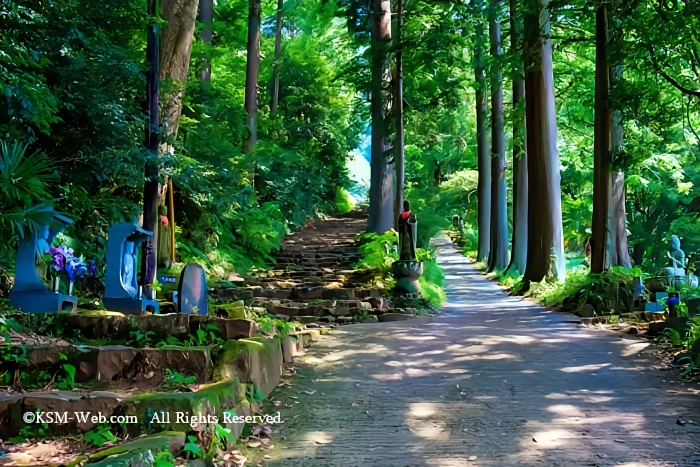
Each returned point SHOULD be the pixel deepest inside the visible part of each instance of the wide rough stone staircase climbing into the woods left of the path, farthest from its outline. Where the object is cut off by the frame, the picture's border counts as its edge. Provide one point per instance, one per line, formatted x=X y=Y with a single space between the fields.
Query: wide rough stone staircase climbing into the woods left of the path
x=313 y=280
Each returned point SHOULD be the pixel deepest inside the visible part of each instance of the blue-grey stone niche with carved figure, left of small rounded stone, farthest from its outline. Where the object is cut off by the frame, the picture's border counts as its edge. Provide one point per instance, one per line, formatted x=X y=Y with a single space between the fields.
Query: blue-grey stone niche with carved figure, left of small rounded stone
x=122 y=290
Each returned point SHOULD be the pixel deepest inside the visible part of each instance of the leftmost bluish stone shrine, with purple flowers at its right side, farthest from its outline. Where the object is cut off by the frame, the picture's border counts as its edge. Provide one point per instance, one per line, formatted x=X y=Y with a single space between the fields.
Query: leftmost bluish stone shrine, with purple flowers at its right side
x=32 y=291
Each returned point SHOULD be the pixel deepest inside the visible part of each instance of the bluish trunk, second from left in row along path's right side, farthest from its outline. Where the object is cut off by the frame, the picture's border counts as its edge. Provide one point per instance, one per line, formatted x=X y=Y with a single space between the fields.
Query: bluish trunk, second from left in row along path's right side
x=498 y=256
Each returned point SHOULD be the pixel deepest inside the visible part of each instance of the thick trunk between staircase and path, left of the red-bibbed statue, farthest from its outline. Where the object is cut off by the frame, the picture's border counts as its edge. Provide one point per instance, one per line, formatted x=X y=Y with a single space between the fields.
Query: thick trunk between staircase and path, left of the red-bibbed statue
x=381 y=201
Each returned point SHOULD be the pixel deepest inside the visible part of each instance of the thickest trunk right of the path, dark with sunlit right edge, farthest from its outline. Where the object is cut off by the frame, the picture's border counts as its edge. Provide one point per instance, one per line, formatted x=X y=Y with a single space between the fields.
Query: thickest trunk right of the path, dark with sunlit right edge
x=545 y=253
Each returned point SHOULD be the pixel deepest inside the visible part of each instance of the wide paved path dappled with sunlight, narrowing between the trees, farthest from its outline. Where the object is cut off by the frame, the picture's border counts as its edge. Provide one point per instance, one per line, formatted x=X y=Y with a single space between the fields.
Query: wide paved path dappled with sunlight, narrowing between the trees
x=493 y=381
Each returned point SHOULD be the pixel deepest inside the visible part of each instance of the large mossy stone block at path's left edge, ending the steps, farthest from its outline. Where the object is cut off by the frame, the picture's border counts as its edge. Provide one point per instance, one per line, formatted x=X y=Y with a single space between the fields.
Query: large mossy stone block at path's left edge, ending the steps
x=256 y=360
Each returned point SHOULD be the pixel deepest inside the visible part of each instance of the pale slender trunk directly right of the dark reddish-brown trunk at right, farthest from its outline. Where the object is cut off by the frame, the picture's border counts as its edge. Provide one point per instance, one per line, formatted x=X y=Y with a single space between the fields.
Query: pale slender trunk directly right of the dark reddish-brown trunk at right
x=617 y=215
